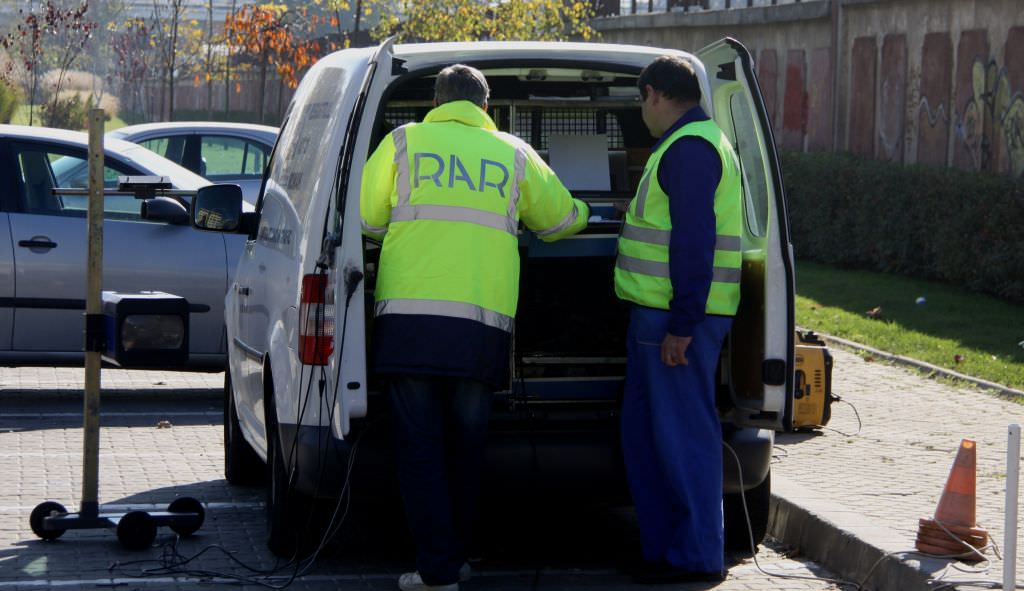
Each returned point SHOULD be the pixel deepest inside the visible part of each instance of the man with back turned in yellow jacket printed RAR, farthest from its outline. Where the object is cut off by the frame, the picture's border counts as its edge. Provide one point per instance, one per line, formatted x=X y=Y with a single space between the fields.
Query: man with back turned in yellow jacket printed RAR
x=447 y=197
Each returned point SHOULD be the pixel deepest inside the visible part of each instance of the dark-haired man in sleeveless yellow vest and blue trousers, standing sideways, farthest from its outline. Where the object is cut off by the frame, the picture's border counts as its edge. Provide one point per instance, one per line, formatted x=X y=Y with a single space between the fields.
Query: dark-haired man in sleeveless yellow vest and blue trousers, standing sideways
x=679 y=264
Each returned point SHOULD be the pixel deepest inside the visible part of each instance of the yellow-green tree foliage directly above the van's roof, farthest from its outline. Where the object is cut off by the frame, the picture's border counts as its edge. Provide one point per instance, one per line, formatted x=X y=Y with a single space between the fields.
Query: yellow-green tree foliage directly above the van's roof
x=484 y=20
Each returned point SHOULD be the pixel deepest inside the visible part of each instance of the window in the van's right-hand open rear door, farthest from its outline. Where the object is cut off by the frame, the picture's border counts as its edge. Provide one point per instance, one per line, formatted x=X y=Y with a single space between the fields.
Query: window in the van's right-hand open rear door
x=751 y=164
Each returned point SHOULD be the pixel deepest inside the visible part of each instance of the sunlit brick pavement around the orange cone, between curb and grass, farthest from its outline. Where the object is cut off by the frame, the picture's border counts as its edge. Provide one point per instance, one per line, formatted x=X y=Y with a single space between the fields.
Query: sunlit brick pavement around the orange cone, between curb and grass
x=894 y=471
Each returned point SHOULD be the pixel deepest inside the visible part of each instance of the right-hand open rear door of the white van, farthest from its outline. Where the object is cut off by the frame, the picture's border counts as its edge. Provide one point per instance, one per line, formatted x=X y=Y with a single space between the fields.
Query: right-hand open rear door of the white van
x=761 y=352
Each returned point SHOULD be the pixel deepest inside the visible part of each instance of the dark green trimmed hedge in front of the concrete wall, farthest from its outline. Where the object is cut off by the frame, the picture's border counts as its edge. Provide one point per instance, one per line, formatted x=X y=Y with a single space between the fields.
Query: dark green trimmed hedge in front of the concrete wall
x=936 y=224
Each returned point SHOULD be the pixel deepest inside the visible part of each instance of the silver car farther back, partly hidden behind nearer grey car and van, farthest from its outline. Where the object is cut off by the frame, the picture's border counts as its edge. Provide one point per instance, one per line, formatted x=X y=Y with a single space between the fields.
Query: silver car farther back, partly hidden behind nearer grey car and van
x=235 y=153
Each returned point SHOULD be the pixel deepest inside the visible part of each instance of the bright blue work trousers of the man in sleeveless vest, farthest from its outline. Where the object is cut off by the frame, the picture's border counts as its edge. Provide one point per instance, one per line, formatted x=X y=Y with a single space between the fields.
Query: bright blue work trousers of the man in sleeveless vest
x=672 y=443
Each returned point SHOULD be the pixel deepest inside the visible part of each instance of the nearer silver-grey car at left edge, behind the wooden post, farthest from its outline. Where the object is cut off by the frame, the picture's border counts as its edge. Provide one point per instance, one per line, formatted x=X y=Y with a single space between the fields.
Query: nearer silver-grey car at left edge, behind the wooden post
x=44 y=247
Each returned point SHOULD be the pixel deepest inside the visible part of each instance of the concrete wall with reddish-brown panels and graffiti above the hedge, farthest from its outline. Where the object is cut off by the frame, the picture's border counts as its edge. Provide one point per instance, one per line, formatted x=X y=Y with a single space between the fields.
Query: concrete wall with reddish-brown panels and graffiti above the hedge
x=937 y=82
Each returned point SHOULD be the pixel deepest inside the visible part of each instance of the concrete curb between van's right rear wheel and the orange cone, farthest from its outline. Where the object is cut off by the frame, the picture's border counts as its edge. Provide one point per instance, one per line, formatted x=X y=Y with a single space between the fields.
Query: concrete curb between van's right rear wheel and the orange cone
x=843 y=541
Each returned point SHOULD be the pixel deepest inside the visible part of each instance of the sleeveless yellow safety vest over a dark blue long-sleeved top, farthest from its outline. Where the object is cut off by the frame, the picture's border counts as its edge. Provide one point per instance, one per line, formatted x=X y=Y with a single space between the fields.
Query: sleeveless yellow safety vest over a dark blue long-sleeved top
x=643 y=267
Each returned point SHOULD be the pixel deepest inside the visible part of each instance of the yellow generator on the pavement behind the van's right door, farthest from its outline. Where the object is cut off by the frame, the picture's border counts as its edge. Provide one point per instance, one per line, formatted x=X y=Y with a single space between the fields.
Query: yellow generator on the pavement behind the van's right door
x=810 y=405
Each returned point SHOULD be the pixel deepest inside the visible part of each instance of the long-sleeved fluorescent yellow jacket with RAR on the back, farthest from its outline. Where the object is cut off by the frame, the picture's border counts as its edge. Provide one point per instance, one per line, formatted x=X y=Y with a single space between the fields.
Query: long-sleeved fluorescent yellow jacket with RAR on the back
x=447 y=196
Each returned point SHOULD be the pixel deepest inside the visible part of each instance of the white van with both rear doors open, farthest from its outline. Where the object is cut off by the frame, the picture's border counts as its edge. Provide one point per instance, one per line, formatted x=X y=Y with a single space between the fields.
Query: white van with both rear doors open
x=297 y=393
